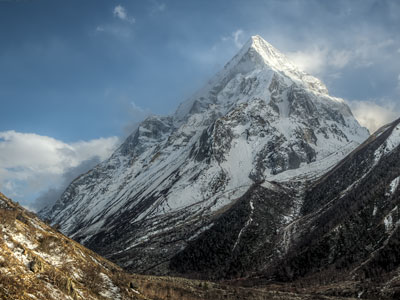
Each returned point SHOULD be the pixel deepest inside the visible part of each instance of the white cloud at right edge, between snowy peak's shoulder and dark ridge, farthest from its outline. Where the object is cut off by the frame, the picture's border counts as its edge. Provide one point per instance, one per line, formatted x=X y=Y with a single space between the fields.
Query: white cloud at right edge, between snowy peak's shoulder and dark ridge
x=372 y=115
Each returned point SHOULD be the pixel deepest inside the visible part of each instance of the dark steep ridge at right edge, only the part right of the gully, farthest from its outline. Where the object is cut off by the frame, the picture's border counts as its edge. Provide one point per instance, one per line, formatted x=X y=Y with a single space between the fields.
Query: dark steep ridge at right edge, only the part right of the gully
x=350 y=216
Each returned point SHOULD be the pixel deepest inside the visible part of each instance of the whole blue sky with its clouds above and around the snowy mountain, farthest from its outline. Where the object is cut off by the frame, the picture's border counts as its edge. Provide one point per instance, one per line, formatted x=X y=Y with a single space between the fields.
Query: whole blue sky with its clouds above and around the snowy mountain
x=77 y=74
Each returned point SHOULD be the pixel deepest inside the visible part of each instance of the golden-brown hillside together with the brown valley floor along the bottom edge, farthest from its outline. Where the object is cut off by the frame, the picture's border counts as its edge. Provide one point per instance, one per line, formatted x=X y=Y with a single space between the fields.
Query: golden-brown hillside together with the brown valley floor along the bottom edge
x=37 y=262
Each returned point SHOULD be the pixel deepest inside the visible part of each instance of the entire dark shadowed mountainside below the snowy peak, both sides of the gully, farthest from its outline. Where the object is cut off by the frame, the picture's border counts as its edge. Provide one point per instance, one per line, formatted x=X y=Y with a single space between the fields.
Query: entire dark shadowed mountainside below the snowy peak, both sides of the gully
x=347 y=226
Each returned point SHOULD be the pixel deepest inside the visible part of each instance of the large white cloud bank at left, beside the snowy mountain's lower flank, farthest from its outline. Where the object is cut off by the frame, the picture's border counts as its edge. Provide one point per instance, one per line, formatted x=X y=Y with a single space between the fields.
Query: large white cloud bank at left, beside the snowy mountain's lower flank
x=30 y=163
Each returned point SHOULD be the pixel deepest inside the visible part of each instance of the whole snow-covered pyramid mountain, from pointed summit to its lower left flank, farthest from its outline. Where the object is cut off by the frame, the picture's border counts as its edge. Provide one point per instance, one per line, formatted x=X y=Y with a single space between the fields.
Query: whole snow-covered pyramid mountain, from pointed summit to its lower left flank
x=259 y=119
